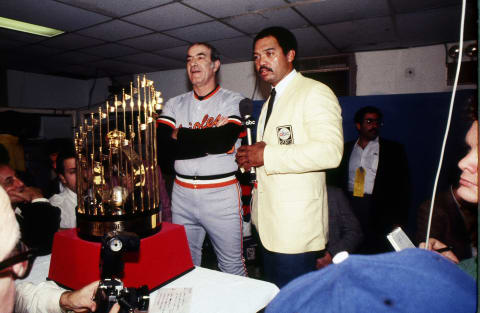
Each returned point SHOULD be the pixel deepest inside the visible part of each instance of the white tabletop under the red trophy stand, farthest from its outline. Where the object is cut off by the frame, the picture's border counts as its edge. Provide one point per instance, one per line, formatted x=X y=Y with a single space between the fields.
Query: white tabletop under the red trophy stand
x=211 y=291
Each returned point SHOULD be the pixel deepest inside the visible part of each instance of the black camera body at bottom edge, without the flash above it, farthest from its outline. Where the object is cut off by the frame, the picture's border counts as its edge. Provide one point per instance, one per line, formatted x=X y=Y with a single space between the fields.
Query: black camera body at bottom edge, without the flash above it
x=111 y=291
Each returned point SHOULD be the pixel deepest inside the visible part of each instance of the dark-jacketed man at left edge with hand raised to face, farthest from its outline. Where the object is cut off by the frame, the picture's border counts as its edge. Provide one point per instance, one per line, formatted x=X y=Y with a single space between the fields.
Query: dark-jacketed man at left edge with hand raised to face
x=38 y=219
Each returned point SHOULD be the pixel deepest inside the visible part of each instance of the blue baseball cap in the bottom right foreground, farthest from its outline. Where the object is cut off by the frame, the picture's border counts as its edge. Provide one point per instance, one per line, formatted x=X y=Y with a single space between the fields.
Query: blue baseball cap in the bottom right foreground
x=412 y=280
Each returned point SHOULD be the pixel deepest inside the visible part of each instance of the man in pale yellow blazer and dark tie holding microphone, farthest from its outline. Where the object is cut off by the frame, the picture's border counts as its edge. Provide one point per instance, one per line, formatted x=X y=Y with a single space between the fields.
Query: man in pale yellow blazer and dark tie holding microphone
x=297 y=140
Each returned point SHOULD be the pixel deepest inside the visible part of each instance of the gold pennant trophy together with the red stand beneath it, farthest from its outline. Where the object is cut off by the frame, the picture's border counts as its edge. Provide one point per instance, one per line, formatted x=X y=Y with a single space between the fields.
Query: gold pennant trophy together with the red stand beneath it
x=119 y=225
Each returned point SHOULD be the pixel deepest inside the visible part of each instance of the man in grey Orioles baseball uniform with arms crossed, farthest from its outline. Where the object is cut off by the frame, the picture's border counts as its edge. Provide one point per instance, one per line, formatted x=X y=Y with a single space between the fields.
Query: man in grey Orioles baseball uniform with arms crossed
x=201 y=127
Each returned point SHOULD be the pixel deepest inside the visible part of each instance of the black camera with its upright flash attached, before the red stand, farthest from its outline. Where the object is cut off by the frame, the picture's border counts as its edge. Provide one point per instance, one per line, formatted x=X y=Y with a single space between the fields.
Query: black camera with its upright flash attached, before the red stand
x=110 y=289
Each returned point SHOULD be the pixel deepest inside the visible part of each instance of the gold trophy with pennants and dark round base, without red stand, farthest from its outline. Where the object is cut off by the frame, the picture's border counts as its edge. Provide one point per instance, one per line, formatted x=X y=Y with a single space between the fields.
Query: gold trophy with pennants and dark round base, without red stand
x=117 y=173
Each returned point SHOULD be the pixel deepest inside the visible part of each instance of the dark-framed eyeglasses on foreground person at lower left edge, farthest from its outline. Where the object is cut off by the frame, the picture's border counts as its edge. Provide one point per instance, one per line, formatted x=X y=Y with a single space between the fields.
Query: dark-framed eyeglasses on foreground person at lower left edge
x=21 y=254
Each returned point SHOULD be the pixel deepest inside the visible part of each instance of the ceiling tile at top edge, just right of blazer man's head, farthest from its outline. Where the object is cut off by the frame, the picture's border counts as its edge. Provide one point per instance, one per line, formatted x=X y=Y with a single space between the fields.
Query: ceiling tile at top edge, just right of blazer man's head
x=334 y=11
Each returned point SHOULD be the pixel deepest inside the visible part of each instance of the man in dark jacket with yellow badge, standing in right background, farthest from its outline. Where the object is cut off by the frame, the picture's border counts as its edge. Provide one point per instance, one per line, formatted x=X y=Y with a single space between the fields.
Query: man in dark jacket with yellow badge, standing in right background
x=374 y=170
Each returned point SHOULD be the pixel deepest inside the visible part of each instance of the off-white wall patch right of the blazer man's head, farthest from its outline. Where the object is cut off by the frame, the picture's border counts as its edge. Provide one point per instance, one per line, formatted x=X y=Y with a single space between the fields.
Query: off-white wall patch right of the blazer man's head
x=414 y=70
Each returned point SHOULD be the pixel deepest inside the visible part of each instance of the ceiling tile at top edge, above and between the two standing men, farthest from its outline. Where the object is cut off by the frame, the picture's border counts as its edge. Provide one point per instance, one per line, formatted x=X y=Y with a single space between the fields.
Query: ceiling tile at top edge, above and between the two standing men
x=224 y=8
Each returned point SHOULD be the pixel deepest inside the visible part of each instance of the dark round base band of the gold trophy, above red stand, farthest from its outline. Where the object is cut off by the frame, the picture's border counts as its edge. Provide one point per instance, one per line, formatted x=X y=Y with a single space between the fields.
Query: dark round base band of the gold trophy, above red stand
x=93 y=228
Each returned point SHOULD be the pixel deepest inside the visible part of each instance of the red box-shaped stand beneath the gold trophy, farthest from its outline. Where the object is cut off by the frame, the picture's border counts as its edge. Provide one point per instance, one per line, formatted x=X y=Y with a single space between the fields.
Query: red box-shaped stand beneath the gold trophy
x=161 y=259
